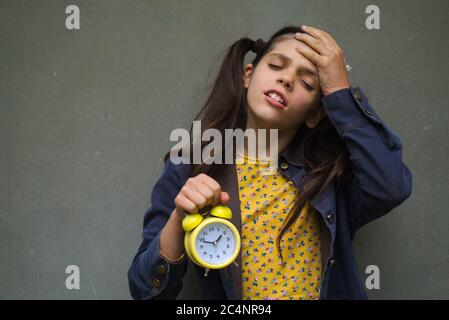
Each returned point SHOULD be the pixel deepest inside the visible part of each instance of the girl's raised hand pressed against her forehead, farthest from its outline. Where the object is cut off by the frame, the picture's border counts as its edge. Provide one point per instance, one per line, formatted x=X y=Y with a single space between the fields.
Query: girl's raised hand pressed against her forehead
x=323 y=51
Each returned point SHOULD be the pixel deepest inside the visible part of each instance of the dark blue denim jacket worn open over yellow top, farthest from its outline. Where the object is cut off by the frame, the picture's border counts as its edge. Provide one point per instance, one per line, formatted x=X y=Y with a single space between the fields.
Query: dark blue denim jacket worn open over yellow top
x=379 y=183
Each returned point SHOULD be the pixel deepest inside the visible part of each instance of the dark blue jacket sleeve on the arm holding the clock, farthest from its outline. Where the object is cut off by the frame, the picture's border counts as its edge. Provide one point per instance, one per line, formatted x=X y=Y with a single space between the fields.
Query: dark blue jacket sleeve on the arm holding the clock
x=151 y=275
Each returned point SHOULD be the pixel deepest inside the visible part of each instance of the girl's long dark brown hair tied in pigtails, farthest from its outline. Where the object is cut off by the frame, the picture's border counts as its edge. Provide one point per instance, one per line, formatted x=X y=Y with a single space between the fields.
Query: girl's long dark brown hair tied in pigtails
x=321 y=149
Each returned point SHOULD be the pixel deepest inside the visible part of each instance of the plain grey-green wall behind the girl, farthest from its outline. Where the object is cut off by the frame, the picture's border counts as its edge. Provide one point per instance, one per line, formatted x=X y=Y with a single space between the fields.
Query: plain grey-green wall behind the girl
x=85 y=118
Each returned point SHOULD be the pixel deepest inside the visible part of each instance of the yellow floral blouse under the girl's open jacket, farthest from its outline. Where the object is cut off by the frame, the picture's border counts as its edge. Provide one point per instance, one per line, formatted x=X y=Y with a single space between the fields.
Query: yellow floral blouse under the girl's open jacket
x=265 y=200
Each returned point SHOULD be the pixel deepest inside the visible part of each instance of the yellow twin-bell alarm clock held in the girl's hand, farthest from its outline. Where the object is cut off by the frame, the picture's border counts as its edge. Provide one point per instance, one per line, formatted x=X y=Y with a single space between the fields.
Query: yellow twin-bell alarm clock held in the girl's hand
x=211 y=242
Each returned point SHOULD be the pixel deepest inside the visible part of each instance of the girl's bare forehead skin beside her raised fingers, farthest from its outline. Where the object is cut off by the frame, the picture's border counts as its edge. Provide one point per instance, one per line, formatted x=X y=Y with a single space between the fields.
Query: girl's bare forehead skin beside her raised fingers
x=287 y=48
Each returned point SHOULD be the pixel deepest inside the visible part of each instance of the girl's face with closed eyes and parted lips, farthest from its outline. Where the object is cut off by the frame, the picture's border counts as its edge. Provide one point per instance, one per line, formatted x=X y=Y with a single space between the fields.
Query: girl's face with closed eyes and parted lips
x=294 y=78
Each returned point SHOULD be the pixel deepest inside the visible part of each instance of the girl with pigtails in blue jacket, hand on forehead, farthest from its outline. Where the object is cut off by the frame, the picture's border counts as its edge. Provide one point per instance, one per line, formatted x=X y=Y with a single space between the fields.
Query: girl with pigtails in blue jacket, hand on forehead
x=340 y=167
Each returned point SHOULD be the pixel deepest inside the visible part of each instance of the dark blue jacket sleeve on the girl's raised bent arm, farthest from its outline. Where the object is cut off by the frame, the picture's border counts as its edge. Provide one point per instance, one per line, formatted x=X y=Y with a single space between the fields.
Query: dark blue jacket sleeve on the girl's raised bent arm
x=380 y=180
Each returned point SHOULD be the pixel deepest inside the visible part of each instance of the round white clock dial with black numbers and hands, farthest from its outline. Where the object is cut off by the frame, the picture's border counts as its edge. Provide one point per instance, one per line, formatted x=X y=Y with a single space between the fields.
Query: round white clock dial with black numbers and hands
x=215 y=243
